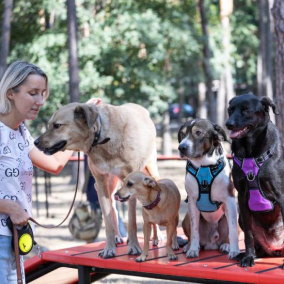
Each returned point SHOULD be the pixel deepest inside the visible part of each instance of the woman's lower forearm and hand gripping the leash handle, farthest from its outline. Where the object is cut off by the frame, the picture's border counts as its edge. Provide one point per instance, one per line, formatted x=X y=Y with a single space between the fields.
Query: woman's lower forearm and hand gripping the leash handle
x=17 y=214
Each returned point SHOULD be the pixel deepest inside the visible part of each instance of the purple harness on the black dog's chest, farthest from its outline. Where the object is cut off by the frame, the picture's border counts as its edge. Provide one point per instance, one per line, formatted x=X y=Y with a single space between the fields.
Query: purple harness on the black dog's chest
x=250 y=167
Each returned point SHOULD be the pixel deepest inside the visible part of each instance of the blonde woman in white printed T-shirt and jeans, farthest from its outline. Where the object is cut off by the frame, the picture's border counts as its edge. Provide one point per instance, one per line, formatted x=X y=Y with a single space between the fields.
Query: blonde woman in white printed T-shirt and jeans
x=23 y=91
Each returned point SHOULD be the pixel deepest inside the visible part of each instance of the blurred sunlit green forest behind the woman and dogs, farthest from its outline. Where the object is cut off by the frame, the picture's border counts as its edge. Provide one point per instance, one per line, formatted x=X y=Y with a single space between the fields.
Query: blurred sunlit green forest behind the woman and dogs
x=150 y=52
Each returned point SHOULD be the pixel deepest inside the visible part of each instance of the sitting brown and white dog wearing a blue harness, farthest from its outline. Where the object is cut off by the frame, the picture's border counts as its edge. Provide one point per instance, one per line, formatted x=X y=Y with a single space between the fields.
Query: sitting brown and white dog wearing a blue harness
x=211 y=201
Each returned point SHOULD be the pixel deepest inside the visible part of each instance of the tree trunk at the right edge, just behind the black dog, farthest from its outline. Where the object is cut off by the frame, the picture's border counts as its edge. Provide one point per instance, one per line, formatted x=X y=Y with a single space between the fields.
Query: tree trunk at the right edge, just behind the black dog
x=278 y=14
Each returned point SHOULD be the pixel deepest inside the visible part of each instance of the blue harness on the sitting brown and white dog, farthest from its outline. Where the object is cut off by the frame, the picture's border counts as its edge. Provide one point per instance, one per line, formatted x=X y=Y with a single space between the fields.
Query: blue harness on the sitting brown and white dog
x=204 y=177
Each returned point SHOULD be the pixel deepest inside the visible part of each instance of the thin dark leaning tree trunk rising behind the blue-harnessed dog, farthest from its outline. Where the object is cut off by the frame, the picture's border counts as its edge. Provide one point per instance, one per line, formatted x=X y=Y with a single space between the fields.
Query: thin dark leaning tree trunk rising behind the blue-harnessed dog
x=206 y=64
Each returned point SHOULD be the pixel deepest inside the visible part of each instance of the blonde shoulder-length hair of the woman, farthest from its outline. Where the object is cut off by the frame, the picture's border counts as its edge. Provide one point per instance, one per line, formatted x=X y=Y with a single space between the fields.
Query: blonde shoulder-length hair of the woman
x=14 y=77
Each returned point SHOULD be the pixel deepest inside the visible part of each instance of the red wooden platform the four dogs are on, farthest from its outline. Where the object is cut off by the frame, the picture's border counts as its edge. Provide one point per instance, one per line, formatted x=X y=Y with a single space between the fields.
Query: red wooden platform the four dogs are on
x=209 y=267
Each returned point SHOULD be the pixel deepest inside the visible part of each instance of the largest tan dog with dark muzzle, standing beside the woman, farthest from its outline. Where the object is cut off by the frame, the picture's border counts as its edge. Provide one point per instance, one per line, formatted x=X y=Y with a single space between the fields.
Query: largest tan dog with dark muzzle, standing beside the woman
x=117 y=140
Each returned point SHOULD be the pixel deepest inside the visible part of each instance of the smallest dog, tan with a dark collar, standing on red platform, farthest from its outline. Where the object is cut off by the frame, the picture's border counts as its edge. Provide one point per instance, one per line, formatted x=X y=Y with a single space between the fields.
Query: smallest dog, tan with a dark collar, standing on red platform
x=161 y=201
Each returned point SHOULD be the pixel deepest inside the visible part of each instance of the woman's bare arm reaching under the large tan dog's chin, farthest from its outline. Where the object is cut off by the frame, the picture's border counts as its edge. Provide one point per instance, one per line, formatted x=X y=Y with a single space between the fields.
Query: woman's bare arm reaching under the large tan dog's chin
x=50 y=163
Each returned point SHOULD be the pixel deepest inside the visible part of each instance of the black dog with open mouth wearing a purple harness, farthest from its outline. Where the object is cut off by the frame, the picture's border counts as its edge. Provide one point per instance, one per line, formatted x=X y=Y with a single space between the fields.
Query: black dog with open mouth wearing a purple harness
x=258 y=175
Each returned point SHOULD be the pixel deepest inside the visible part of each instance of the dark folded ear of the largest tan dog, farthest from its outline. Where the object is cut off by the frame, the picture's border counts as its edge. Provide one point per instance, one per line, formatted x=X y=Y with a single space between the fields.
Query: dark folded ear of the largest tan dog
x=84 y=114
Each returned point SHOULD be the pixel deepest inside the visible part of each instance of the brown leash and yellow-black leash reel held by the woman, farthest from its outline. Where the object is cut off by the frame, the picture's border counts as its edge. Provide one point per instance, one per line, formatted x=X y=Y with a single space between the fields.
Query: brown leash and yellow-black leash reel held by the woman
x=16 y=235
